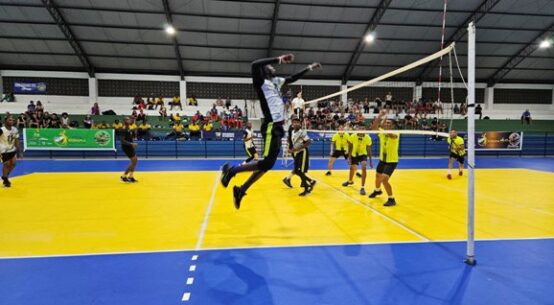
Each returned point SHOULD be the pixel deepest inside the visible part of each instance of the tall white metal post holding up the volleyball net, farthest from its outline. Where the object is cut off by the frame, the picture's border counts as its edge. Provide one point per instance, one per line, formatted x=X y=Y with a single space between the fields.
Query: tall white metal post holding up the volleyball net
x=470 y=256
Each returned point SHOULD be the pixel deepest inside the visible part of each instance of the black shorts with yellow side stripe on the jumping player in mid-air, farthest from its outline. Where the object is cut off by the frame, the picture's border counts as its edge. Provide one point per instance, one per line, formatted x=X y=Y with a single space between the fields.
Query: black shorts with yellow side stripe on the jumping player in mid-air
x=272 y=134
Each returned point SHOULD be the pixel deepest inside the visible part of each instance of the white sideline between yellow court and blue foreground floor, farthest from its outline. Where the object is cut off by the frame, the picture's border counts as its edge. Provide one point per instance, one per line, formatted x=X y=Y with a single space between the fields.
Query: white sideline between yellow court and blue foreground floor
x=274 y=247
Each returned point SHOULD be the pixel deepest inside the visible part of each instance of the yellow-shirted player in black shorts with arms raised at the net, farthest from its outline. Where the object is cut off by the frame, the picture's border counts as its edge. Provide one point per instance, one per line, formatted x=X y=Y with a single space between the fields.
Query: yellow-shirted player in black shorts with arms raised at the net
x=388 y=156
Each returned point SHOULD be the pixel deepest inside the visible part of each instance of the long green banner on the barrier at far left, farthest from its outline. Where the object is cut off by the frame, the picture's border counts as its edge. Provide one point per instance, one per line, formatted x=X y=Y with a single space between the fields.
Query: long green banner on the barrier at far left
x=68 y=139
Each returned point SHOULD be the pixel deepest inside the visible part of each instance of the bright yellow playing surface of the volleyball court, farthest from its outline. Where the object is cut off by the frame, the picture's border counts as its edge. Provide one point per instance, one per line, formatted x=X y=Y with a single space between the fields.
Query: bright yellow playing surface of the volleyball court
x=80 y=213
